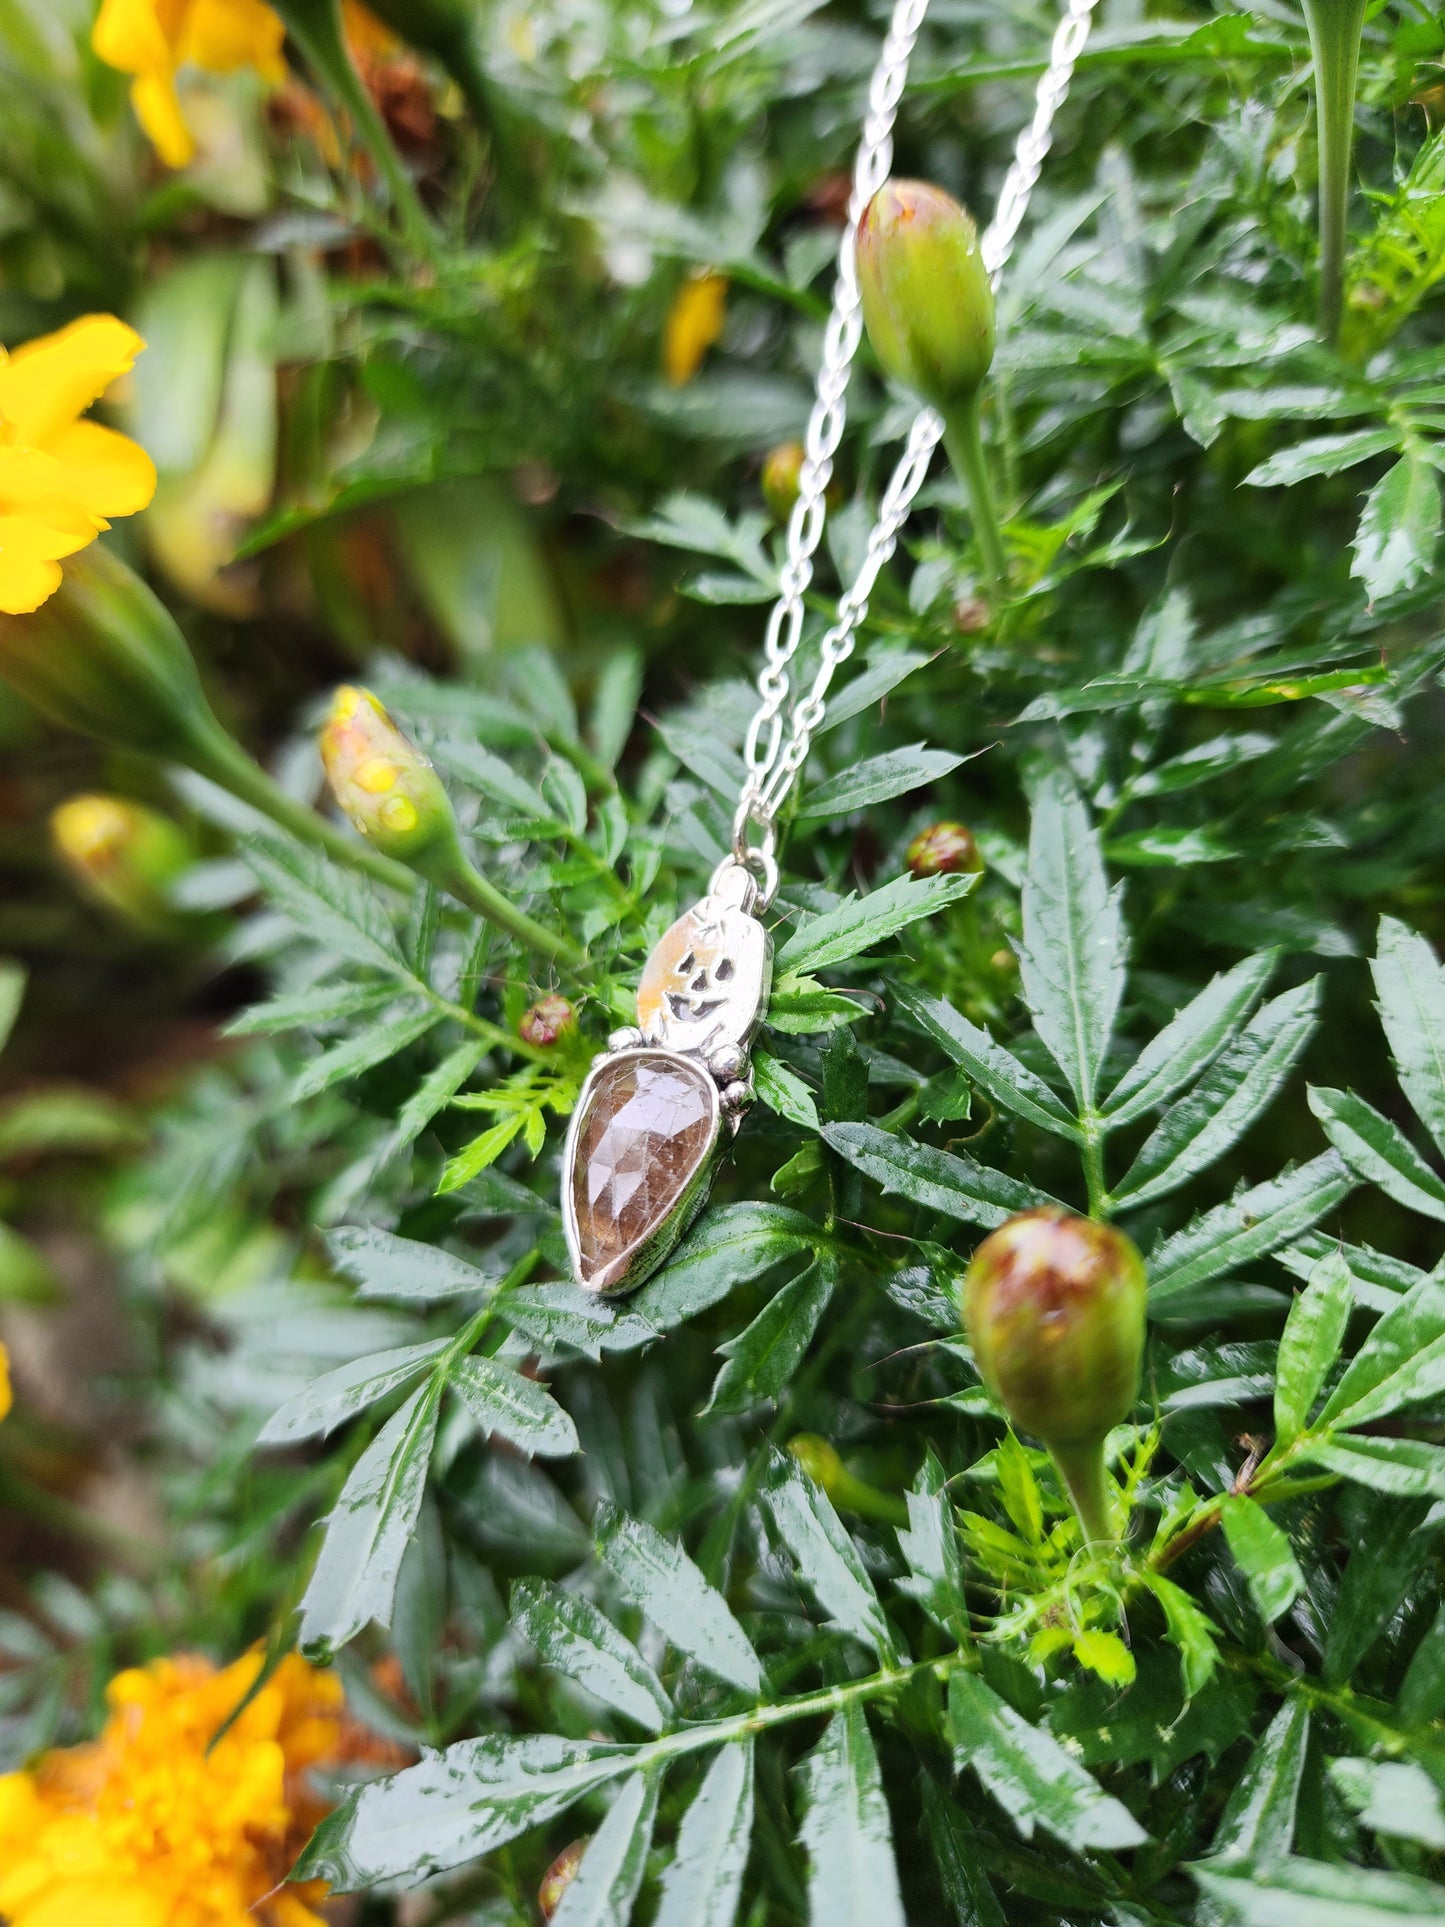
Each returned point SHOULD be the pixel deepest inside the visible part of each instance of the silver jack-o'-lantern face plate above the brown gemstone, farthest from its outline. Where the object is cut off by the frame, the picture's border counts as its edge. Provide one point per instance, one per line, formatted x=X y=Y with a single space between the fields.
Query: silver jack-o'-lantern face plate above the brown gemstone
x=704 y=984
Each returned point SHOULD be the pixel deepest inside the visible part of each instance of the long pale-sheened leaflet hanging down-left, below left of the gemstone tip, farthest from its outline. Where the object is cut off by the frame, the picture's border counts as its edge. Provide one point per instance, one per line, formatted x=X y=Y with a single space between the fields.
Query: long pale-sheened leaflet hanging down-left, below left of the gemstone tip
x=369 y=1531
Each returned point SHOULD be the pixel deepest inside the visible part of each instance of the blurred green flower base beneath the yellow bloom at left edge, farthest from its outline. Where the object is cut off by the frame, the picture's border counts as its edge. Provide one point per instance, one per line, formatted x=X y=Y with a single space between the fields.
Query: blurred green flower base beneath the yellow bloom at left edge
x=105 y=658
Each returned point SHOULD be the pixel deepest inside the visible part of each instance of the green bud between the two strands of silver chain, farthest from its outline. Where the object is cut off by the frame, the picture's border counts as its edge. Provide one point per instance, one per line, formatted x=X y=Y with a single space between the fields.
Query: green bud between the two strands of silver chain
x=928 y=302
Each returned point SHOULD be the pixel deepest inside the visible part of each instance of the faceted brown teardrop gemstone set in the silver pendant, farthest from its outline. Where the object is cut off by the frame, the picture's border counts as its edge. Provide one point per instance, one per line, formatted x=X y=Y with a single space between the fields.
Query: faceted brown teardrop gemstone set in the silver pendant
x=644 y=1134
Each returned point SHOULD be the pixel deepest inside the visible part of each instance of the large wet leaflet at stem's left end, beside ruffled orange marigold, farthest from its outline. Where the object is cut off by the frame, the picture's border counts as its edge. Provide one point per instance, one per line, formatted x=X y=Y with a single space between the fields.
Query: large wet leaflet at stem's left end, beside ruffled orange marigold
x=456 y=1807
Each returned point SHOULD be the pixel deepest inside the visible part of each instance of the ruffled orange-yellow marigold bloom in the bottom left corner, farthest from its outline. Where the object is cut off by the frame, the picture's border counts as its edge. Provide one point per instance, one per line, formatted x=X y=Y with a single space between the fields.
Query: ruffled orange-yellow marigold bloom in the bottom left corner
x=153 y=1826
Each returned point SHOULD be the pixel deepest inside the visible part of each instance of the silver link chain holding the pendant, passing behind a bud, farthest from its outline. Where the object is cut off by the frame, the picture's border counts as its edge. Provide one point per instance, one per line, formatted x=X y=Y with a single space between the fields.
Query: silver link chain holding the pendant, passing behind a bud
x=774 y=764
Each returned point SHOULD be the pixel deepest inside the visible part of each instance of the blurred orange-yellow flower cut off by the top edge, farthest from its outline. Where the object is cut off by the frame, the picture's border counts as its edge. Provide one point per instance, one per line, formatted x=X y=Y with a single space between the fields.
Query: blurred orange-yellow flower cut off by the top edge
x=153 y=40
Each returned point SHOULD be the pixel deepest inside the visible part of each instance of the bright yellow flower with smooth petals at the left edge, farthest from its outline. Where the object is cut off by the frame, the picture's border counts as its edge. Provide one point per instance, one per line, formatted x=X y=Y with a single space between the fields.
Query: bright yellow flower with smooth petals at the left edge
x=61 y=479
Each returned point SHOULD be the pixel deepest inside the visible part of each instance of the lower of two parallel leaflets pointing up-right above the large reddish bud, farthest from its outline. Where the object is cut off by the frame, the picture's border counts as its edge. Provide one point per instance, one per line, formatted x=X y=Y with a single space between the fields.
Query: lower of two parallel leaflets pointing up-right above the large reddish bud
x=1232 y=1095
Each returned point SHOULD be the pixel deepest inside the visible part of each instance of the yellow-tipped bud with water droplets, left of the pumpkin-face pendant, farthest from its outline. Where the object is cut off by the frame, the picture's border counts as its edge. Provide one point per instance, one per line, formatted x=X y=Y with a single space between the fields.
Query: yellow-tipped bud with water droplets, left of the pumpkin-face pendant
x=388 y=787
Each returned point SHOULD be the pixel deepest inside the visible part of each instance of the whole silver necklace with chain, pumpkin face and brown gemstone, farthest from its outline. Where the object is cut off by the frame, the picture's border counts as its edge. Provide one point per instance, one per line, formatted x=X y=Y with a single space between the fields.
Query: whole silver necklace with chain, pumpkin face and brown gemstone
x=650 y=1122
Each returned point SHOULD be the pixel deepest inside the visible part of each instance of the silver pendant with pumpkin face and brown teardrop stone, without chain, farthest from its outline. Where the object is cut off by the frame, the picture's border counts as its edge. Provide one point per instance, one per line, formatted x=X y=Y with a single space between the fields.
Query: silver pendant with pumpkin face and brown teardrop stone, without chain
x=648 y=1126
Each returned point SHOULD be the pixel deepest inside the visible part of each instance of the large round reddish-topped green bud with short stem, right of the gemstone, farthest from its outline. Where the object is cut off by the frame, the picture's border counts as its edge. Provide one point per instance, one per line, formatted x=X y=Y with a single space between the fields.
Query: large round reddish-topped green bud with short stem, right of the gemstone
x=1055 y=1311
